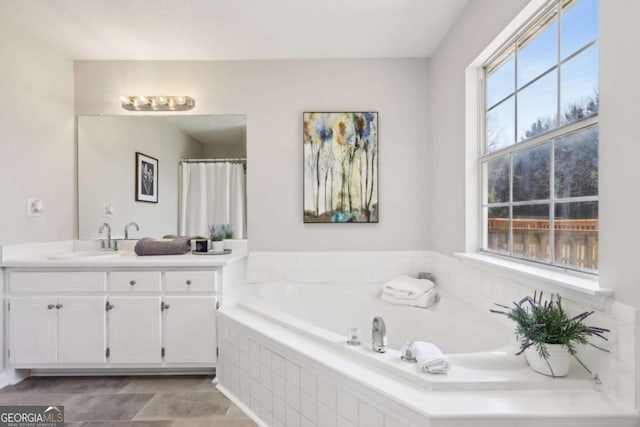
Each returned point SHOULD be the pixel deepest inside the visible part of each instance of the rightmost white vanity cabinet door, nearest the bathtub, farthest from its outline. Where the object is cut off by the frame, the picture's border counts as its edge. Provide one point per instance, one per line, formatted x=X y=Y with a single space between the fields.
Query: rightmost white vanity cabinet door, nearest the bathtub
x=190 y=329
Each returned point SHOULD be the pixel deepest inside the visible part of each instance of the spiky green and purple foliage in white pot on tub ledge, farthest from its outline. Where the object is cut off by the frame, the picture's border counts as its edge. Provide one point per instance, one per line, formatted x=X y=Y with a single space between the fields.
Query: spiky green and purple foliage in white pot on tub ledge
x=539 y=323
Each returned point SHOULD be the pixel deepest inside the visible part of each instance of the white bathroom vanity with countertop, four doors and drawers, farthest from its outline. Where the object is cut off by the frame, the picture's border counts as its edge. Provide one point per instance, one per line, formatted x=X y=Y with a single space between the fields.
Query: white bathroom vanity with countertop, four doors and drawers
x=117 y=311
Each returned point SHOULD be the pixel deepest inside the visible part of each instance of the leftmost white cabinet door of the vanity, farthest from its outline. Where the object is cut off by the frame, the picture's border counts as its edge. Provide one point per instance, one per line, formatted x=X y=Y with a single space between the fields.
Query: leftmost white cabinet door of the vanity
x=33 y=326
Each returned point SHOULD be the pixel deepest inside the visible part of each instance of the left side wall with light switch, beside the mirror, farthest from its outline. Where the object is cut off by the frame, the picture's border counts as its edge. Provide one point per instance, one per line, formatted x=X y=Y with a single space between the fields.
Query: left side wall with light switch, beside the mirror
x=36 y=119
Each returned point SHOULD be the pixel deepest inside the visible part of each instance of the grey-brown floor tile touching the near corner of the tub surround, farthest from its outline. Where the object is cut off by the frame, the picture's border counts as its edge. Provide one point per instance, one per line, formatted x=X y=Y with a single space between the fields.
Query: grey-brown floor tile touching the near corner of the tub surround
x=185 y=405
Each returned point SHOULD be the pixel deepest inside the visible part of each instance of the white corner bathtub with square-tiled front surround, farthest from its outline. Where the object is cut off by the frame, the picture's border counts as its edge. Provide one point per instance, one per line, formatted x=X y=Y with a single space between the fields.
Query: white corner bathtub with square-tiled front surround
x=284 y=345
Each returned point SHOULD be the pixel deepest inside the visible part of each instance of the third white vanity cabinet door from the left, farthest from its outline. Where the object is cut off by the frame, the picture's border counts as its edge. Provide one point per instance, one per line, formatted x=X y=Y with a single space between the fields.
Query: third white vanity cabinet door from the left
x=134 y=330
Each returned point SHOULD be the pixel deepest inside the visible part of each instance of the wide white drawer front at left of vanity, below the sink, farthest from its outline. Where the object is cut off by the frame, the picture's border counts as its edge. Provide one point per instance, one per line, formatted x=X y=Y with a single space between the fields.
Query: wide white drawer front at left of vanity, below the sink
x=57 y=281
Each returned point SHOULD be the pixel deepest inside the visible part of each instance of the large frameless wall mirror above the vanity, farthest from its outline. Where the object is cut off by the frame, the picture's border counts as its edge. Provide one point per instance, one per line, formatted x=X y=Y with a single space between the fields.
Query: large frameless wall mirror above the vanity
x=172 y=175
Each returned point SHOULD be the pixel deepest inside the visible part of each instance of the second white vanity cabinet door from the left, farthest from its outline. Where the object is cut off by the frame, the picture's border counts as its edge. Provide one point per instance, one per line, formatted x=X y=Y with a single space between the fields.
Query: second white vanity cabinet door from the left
x=82 y=330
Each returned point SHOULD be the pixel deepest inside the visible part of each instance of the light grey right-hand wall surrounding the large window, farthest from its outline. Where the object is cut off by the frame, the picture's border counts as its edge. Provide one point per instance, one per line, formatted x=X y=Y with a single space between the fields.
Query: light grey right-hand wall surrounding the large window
x=619 y=104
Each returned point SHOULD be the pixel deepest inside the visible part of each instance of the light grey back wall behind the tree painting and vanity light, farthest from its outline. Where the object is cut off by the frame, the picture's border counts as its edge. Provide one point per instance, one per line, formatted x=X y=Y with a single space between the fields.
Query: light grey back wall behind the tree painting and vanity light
x=274 y=94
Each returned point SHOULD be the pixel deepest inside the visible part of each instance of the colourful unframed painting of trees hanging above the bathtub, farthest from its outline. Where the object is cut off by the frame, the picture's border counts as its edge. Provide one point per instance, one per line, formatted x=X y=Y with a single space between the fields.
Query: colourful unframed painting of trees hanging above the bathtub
x=340 y=167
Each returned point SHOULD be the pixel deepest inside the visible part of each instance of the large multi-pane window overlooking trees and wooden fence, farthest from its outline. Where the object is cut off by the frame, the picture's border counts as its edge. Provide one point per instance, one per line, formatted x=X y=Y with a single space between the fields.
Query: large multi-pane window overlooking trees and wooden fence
x=539 y=159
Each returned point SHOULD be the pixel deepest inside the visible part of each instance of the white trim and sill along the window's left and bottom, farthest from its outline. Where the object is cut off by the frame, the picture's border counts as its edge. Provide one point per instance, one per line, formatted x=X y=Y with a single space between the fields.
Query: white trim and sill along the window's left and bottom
x=582 y=288
